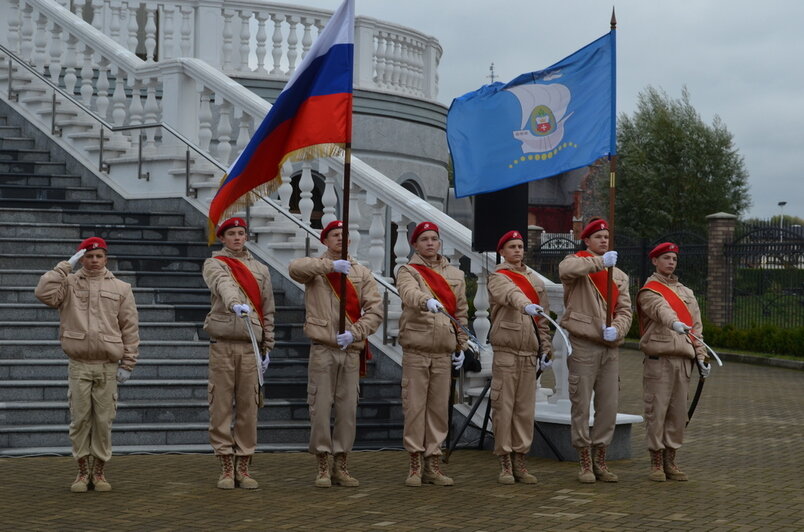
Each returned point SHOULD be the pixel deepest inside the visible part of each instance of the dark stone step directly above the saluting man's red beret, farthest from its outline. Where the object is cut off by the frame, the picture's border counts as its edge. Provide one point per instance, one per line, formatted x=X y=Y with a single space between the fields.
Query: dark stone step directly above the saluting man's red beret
x=78 y=232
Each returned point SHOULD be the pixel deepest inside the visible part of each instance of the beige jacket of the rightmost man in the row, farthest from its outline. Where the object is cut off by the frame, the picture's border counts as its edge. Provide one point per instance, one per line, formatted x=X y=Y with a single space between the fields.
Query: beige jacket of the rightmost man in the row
x=658 y=338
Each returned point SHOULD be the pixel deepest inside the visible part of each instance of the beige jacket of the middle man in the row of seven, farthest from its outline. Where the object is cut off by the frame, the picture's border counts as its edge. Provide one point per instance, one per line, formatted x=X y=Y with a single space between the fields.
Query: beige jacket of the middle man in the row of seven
x=421 y=331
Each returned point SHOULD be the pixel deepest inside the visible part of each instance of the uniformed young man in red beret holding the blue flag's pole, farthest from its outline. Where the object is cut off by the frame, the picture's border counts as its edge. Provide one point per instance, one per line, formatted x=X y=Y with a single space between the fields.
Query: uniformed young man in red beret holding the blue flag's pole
x=594 y=364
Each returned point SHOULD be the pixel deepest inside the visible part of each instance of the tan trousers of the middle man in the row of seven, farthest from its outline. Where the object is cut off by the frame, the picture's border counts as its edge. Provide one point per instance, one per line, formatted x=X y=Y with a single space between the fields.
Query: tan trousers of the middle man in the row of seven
x=425 y=401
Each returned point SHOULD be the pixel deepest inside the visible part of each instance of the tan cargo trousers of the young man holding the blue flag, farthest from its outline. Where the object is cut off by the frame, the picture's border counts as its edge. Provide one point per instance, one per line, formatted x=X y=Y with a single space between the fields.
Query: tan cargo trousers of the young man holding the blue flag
x=594 y=368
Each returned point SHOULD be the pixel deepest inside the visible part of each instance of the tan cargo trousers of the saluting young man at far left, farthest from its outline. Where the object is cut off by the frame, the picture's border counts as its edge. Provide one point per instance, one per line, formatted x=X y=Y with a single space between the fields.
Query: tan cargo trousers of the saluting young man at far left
x=92 y=396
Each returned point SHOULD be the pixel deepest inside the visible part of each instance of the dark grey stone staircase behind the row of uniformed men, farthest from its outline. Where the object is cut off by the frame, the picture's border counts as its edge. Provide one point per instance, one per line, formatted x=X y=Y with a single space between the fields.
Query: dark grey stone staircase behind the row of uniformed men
x=44 y=213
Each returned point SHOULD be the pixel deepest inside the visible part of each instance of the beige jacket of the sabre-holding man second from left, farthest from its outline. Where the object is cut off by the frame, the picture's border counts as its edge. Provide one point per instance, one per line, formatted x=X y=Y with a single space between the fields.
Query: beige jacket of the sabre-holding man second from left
x=221 y=323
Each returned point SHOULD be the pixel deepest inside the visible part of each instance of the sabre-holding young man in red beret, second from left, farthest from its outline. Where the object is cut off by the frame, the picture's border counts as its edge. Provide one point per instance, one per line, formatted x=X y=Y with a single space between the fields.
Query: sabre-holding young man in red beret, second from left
x=232 y=364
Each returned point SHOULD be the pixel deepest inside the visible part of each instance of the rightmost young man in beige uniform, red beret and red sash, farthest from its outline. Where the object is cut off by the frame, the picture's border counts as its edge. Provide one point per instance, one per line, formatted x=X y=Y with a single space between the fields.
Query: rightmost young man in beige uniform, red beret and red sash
x=670 y=355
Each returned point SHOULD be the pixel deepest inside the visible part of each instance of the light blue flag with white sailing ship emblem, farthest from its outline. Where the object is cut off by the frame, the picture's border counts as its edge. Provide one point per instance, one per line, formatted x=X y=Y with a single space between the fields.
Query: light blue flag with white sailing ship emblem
x=538 y=125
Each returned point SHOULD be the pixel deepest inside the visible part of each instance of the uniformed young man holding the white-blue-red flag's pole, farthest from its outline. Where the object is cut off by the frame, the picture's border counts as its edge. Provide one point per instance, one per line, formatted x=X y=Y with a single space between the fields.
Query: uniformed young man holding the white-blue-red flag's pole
x=333 y=372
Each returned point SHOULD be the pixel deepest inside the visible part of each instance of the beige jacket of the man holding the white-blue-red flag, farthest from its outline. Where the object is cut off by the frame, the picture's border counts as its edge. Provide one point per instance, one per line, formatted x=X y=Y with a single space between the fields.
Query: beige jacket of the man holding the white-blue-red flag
x=322 y=304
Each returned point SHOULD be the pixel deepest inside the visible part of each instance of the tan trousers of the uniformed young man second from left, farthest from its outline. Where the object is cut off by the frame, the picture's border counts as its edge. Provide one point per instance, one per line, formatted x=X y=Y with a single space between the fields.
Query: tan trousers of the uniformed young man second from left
x=233 y=378
